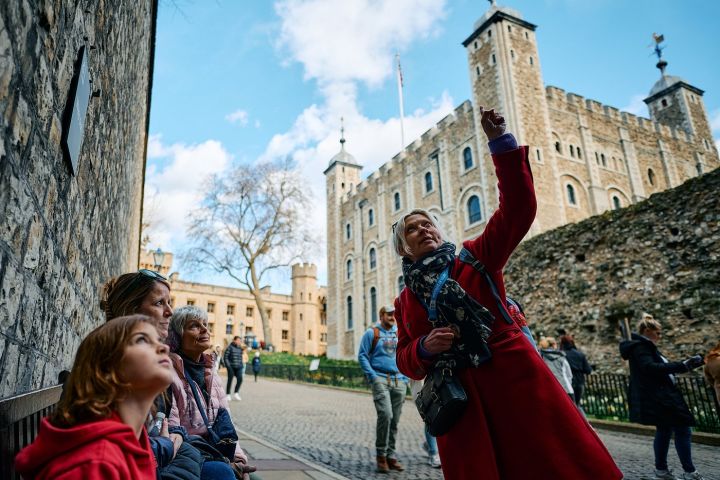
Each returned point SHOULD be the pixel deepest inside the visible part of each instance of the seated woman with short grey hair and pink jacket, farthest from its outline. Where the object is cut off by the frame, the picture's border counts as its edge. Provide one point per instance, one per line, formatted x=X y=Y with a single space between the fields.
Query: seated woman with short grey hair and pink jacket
x=189 y=339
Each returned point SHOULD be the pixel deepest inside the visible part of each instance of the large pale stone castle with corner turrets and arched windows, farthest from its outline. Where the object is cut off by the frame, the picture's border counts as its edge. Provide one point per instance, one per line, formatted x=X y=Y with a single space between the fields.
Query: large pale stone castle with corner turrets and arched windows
x=610 y=159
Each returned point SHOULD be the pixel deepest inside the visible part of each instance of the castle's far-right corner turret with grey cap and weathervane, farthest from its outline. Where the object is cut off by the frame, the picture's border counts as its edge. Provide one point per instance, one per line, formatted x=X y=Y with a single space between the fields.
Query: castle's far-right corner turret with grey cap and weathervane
x=675 y=103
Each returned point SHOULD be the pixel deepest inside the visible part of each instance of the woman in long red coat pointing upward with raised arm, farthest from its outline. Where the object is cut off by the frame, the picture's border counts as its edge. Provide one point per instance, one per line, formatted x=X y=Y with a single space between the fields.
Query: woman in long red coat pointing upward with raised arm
x=519 y=422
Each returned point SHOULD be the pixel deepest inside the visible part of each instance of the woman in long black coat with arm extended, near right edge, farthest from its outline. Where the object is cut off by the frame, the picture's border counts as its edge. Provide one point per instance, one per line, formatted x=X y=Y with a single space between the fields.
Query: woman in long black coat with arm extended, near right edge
x=655 y=399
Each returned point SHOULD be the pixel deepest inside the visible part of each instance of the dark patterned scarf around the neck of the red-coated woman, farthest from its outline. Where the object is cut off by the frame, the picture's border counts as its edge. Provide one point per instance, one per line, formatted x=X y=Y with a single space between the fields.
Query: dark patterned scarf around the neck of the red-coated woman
x=455 y=308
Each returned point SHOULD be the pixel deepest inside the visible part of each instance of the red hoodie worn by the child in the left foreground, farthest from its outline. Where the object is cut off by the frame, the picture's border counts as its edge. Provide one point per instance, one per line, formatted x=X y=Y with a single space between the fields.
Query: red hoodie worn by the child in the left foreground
x=101 y=450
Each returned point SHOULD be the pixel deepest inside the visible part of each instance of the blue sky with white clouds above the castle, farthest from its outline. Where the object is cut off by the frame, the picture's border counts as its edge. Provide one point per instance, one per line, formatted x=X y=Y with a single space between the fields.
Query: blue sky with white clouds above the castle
x=241 y=82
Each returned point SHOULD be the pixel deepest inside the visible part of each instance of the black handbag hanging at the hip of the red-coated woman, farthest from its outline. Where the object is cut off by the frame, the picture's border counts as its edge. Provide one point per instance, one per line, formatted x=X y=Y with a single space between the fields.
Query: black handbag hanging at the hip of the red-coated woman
x=442 y=400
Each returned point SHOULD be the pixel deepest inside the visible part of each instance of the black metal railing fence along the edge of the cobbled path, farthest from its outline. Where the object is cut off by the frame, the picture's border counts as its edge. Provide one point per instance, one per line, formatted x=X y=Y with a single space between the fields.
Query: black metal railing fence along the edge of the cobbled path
x=605 y=394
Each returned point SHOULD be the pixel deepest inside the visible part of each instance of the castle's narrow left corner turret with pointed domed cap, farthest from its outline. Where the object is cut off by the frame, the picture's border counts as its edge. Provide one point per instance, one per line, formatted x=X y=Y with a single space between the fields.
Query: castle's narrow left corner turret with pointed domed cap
x=341 y=178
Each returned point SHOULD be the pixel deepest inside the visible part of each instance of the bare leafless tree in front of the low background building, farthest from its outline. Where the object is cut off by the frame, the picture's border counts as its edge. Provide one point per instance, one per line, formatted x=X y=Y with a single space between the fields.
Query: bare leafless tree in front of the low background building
x=249 y=224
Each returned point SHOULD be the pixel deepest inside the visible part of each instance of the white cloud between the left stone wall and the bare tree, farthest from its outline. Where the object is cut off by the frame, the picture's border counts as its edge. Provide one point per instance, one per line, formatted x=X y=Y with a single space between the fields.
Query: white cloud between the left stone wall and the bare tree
x=173 y=190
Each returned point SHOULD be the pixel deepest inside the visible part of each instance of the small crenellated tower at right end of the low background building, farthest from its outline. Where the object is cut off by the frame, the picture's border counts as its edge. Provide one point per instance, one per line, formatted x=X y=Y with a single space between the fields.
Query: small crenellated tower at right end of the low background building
x=305 y=318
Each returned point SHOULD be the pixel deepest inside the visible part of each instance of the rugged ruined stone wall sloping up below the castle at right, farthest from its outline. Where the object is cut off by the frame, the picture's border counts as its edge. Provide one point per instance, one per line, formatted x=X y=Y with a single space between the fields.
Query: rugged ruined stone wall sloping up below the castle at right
x=660 y=256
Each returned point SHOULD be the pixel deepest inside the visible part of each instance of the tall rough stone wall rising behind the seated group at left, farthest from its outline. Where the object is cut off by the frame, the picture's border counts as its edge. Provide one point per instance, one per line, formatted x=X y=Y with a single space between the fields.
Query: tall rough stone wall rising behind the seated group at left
x=63 y=234
